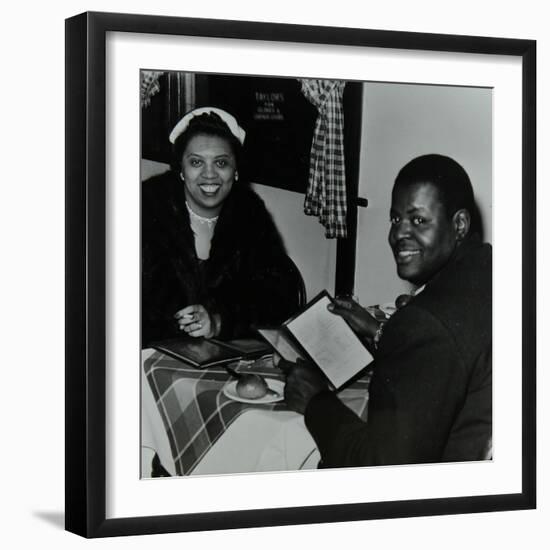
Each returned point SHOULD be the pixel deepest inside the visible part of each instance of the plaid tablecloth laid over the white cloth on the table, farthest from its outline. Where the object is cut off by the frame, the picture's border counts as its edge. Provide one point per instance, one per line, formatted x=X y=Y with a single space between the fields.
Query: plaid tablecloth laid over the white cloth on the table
x=195 y=411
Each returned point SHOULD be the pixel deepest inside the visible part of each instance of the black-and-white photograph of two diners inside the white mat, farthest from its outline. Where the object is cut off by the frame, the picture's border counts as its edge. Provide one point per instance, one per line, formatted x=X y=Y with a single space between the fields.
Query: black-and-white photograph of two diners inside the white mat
x=316 y=273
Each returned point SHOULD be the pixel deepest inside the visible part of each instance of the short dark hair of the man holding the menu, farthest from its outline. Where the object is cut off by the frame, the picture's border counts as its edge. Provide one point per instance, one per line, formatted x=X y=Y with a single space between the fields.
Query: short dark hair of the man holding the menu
x=449 y=178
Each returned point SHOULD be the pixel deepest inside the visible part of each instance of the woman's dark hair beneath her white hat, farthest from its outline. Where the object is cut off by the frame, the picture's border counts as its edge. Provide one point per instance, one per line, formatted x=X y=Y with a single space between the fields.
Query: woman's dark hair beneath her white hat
x=209 y=124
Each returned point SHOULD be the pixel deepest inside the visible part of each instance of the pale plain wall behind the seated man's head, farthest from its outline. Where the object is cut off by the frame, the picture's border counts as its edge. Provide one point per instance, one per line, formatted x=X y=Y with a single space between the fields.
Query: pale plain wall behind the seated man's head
x=400 y=122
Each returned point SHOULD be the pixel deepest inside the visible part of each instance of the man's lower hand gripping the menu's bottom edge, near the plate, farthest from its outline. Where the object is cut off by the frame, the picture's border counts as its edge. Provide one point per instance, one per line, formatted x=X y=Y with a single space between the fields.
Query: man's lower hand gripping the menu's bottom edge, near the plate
x=303 y=382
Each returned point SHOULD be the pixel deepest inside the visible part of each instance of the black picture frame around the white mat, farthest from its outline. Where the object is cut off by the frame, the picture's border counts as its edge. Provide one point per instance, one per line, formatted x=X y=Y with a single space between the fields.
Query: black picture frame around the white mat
x=86 y=263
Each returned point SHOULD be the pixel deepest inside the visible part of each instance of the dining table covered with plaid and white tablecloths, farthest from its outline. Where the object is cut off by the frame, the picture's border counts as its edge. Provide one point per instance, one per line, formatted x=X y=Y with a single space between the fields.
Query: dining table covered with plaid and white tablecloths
x=193 y=425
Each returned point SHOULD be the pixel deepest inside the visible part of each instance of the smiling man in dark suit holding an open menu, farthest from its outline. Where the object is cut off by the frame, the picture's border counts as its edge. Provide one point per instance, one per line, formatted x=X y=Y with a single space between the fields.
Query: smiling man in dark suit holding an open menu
x=431 y=389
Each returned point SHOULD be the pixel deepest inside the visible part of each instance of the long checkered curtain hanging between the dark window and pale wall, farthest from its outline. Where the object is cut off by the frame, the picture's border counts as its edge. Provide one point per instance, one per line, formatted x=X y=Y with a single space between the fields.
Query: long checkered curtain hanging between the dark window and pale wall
x=326 y=192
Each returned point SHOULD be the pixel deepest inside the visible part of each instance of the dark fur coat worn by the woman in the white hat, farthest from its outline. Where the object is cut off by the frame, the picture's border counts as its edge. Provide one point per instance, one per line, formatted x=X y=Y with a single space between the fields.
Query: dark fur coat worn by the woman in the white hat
x=248 y=278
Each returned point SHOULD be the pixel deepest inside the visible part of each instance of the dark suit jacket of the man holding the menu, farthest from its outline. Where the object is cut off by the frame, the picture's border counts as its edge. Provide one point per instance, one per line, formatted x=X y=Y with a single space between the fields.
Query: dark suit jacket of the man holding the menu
x=431 y=391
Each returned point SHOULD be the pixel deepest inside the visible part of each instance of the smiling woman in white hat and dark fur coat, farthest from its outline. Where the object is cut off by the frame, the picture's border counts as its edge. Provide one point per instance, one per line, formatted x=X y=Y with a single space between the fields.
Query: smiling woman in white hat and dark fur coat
x=213 y=260
